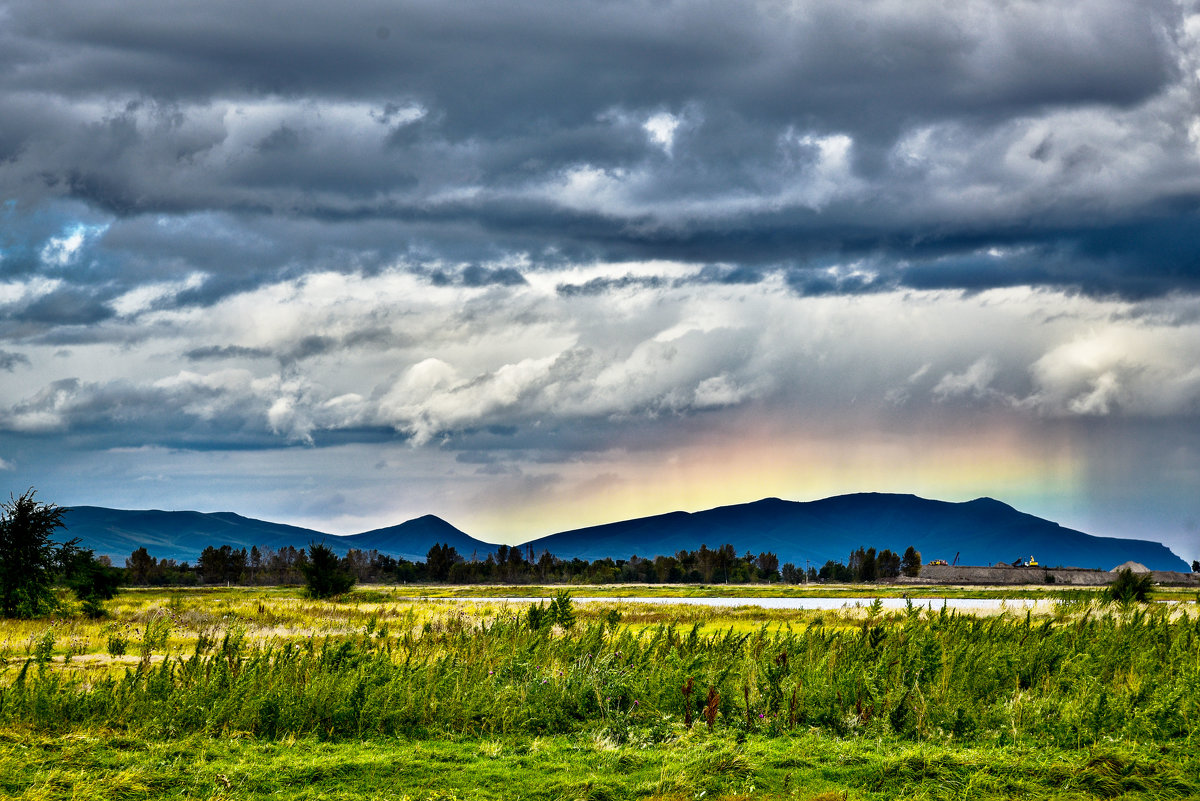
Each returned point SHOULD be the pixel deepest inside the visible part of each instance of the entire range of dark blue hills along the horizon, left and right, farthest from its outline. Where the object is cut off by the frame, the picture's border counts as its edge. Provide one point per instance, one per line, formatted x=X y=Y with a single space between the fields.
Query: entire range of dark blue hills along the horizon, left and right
x=983 y=532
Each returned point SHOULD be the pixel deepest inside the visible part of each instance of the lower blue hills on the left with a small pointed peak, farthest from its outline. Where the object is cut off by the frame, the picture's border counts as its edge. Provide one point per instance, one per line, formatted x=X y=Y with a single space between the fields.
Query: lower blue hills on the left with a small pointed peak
x=184 y=535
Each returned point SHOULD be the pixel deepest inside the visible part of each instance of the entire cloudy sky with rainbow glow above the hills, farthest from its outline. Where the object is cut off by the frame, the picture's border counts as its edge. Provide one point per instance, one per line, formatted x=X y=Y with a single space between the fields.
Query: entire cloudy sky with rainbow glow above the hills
x=537 y=266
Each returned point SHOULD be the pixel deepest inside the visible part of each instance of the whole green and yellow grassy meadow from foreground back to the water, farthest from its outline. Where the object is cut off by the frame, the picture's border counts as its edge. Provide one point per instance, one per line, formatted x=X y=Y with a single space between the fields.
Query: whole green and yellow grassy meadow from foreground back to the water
x=263 y=694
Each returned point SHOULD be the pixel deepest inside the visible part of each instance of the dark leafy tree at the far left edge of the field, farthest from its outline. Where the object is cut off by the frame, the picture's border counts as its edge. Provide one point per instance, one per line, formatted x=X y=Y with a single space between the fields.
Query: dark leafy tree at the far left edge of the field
x=28 y=556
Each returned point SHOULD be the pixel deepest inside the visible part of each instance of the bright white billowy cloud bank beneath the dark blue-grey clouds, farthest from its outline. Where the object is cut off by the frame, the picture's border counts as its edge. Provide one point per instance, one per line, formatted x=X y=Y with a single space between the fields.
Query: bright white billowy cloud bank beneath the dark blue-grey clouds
x=335 y=356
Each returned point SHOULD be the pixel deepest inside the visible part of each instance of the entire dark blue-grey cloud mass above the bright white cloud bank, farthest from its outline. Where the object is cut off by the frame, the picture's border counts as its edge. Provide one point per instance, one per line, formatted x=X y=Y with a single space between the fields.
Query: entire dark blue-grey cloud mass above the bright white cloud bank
x=217 y=138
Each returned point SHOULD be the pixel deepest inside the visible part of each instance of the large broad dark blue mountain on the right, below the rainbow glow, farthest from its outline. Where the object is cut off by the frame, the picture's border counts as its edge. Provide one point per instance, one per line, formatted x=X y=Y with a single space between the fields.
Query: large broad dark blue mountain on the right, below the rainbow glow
x=982 y=532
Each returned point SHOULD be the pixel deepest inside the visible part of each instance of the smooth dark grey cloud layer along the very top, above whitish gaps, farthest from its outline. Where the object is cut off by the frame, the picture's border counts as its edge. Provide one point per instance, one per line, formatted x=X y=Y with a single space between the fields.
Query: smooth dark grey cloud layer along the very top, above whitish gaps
x=489 y=67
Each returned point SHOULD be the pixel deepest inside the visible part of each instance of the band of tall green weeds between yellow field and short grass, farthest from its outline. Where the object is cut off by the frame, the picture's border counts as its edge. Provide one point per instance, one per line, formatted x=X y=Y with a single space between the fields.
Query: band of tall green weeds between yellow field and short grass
x=937 y=677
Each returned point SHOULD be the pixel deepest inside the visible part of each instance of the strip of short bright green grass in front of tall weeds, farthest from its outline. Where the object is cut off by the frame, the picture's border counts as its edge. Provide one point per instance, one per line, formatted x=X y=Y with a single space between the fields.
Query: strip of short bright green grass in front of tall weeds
x=107 y=766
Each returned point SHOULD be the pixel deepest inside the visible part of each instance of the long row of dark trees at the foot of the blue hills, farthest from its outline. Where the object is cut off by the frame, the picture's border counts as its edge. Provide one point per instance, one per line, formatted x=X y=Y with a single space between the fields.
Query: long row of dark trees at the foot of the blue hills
x=513 y=565
